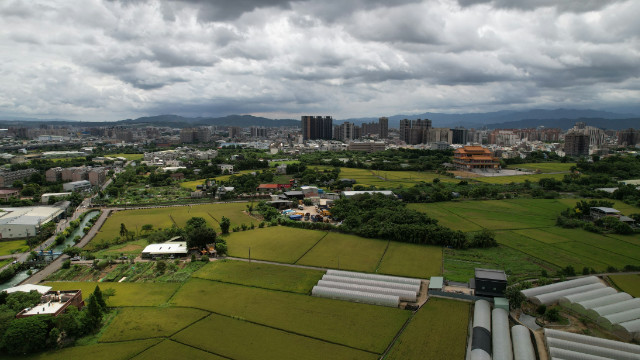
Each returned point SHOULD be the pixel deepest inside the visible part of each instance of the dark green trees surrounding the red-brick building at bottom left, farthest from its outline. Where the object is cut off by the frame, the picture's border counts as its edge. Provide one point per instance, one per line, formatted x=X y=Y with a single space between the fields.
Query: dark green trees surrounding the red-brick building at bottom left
x=41 y=332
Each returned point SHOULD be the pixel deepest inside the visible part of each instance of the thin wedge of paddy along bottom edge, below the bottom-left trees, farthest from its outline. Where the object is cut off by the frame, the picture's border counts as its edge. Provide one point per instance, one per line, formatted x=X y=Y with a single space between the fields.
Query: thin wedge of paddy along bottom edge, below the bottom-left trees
x=111 y=351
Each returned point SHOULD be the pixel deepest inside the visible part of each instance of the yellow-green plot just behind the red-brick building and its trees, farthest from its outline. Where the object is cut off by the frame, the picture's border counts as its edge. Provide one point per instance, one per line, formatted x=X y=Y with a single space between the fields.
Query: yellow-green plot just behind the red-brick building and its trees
x=127 y=294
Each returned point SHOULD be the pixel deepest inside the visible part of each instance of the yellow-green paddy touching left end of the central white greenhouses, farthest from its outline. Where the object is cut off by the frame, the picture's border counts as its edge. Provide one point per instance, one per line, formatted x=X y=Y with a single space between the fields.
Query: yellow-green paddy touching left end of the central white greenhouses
x=266 y=276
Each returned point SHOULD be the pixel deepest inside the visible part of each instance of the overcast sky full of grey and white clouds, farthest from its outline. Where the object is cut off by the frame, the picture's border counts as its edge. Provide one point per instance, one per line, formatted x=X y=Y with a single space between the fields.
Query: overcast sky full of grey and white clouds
x=110 y=60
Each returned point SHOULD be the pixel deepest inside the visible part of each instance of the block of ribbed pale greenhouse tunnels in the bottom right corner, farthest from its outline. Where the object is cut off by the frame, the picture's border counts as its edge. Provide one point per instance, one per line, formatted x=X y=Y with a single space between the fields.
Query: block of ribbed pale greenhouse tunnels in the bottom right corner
x=567 y=345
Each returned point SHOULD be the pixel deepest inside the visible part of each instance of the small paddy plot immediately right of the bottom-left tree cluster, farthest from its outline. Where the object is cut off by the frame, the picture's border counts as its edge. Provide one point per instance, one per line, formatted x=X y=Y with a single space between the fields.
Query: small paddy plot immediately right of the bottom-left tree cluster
x=143 y=323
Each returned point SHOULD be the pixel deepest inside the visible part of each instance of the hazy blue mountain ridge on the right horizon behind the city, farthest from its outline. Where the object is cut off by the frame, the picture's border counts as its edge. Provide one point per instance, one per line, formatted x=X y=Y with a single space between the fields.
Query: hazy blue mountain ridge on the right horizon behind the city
x=565 y=124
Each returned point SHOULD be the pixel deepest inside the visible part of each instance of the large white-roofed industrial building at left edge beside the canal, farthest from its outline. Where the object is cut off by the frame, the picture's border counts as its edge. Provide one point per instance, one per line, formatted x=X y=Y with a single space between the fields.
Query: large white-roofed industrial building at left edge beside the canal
x=23 y=222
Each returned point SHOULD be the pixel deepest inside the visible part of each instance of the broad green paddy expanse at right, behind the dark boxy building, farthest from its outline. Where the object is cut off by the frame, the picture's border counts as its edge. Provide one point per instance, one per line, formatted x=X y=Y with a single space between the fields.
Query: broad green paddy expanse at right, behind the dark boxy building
x=529 y=240
